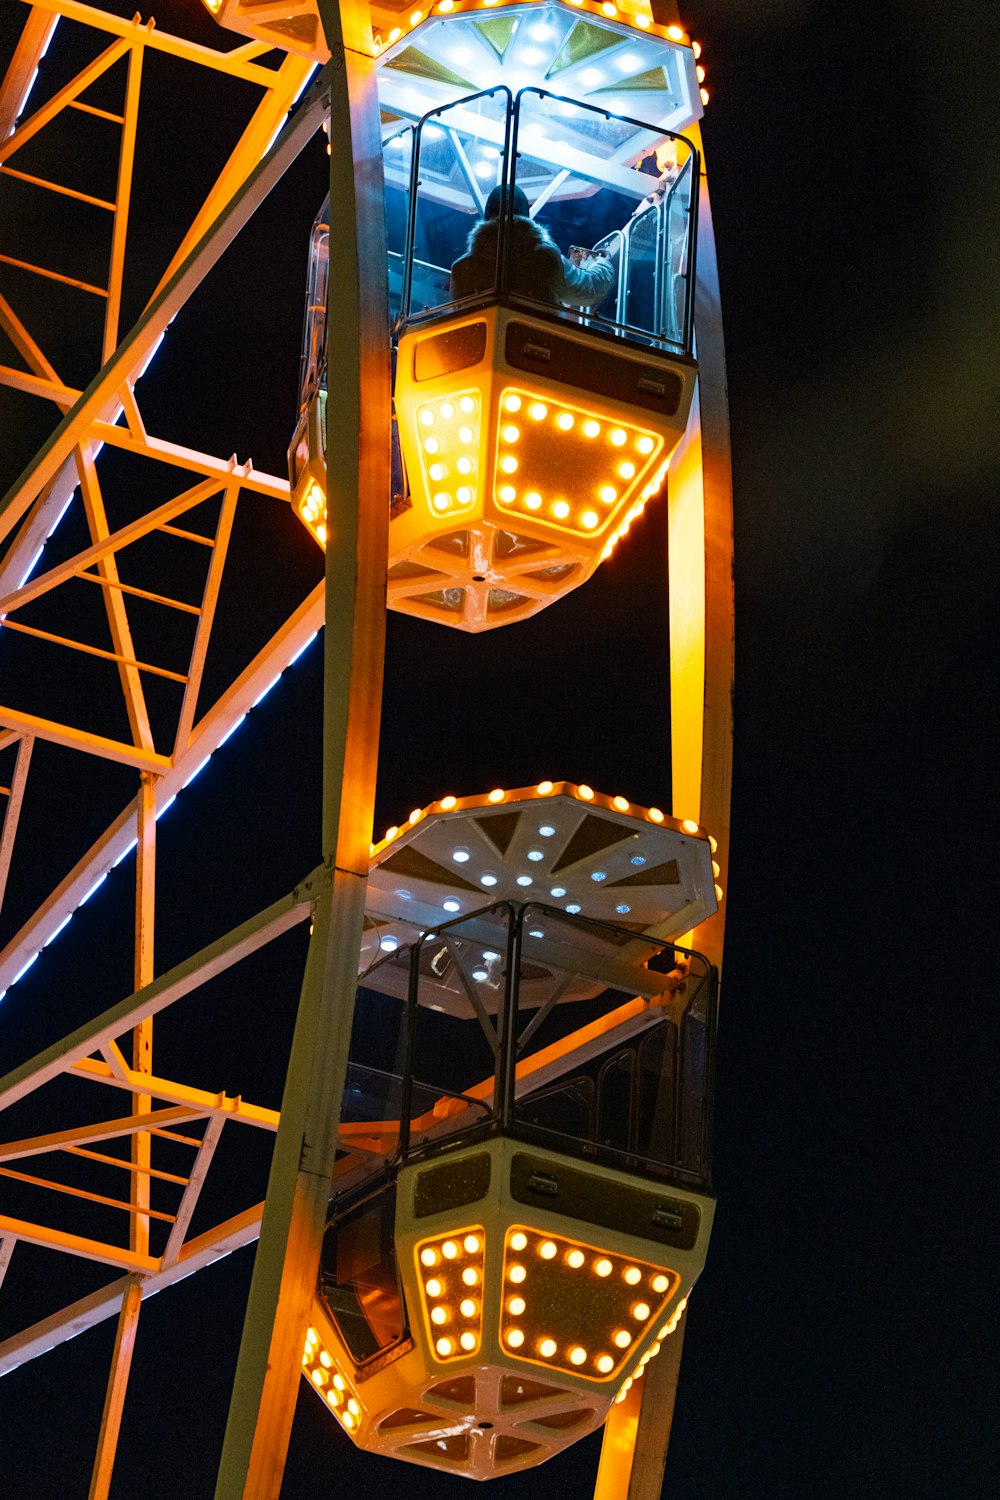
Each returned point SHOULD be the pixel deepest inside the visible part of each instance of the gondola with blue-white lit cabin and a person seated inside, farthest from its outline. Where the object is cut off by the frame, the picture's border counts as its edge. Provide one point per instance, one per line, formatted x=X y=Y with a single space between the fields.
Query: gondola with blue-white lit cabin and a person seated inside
x=533 y=425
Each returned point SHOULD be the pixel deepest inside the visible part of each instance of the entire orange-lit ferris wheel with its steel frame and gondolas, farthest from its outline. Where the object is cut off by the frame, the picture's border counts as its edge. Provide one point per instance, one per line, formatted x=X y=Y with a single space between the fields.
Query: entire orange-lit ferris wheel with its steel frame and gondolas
x=490 y=1192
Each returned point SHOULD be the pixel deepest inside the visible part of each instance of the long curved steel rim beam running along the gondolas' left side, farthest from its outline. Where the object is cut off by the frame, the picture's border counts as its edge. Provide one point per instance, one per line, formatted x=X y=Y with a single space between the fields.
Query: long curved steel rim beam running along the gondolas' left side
x=359 y=488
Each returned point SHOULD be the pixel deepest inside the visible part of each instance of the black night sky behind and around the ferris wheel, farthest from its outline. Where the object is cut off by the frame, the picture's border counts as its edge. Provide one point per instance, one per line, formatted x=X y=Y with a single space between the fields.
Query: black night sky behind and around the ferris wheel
x=839 y=1342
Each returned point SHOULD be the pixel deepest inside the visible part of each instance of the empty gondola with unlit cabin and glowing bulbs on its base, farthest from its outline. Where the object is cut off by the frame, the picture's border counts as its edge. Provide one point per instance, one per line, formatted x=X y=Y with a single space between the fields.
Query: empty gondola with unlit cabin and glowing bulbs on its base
x=522 y=1192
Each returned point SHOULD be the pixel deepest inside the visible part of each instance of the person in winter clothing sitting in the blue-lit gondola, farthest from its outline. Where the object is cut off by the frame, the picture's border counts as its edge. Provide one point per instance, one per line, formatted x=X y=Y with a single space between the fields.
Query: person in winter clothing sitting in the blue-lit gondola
x=536 y=268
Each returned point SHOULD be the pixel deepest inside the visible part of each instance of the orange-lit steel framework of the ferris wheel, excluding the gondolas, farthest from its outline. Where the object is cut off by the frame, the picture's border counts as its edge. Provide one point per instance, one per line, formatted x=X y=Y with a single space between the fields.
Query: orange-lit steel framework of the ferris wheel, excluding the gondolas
x=109 y=415
